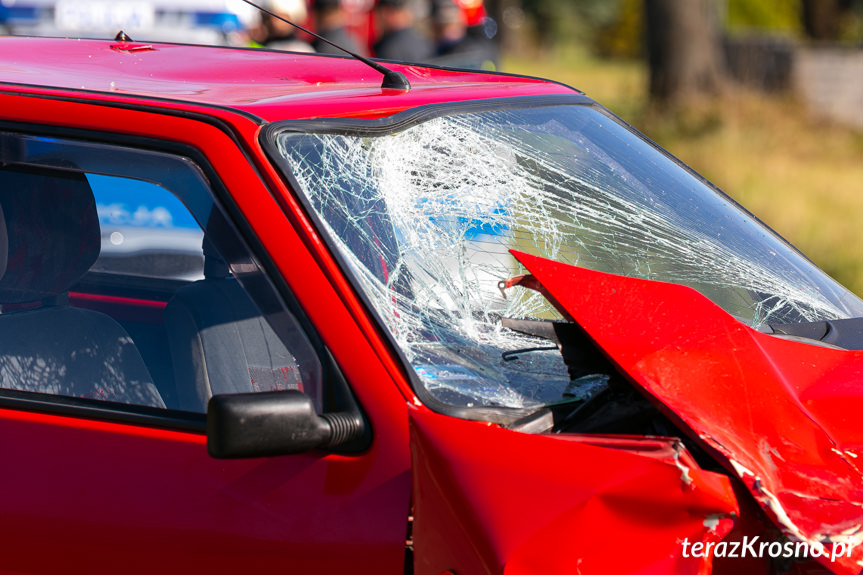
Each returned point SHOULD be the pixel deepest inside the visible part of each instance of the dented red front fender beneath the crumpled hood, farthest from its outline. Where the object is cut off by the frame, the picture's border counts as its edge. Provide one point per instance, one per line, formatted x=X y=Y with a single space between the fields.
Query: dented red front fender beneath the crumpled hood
x=493 y=500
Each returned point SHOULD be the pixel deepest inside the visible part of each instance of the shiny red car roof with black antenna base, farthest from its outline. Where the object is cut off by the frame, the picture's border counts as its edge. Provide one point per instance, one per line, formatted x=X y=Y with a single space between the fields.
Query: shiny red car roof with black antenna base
x=270 y=85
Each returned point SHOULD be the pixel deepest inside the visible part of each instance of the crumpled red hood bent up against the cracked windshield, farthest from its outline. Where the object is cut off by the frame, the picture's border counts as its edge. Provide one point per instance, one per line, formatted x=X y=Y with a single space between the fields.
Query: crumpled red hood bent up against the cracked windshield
x=785 y=417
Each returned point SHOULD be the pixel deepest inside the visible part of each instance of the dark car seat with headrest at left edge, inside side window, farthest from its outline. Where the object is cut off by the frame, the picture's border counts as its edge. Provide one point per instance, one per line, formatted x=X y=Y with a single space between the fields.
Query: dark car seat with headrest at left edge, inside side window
x=49 y=238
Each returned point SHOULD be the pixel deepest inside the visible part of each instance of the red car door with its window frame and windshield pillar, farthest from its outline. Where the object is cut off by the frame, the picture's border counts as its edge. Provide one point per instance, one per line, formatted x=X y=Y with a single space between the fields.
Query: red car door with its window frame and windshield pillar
x=165 y=493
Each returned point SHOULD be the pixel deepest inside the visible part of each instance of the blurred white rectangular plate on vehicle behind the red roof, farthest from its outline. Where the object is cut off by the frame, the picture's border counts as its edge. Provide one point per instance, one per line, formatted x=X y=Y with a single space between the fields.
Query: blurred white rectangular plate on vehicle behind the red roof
x=102 y=15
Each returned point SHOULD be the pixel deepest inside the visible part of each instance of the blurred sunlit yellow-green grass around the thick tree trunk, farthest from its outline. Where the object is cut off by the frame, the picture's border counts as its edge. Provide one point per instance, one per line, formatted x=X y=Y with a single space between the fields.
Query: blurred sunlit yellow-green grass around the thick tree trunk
x=802 y=176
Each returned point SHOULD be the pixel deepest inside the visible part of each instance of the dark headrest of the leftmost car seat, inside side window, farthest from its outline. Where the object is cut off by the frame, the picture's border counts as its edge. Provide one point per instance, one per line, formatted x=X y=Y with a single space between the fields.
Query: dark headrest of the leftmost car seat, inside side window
x=52 y=230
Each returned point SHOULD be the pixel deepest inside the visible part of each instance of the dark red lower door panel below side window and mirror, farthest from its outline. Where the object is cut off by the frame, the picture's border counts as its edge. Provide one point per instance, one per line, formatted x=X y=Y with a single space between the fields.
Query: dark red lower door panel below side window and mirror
x=107 y=498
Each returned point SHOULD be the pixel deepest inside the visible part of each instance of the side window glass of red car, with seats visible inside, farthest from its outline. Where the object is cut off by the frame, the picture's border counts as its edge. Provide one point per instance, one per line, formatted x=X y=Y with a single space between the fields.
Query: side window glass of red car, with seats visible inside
x=122 y=280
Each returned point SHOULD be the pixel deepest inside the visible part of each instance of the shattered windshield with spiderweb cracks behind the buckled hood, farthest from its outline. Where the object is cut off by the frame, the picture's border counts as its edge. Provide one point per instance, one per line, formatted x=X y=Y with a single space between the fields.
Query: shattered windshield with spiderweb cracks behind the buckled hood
x=426 y=216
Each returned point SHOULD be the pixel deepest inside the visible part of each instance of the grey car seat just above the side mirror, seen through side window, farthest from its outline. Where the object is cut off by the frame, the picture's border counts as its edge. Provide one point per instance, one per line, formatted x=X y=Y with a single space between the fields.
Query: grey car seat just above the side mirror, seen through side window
x=220 y=342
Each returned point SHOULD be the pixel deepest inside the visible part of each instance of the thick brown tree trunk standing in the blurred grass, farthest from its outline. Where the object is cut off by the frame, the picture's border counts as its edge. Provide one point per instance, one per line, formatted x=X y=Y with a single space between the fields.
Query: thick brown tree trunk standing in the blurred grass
x=684 y=52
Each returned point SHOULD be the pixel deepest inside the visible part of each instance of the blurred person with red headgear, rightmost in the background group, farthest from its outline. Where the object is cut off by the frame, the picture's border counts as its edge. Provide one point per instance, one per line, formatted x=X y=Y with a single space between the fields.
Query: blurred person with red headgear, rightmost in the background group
x=463 y=35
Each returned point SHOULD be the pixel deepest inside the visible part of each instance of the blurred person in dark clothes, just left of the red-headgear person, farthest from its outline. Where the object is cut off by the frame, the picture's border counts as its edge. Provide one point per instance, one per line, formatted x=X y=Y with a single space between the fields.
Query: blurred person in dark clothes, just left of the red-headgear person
x=399 y=39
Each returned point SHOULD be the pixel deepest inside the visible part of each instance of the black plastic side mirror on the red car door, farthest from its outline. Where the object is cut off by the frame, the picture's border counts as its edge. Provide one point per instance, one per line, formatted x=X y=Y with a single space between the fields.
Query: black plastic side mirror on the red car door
x=246 y=425
